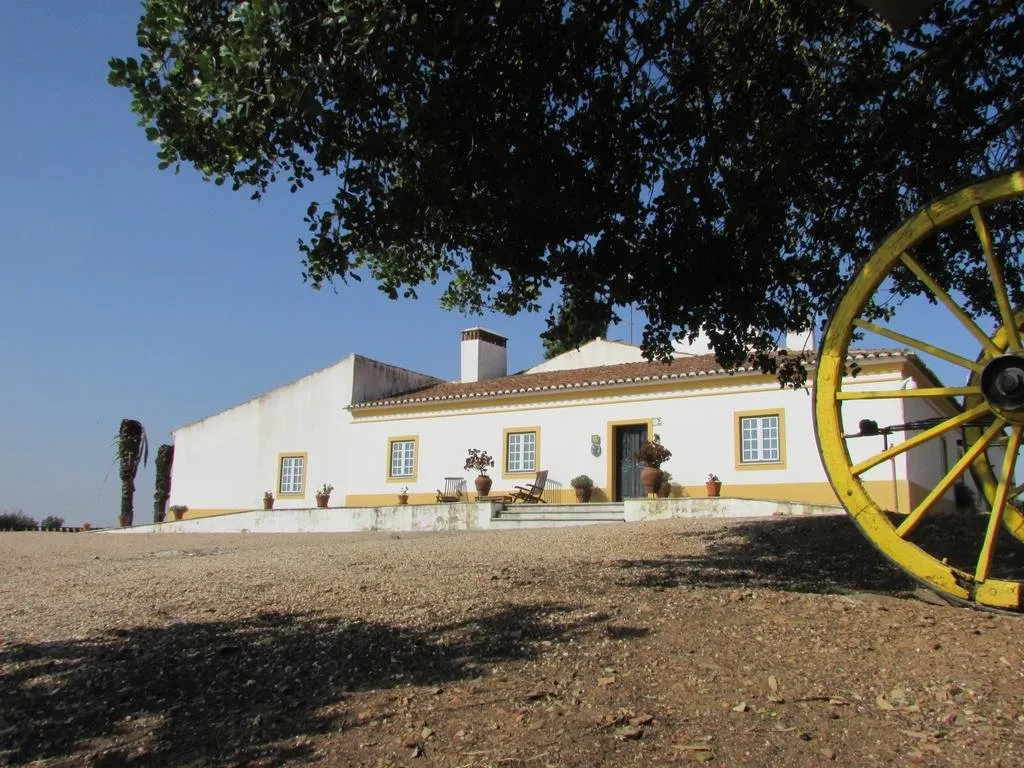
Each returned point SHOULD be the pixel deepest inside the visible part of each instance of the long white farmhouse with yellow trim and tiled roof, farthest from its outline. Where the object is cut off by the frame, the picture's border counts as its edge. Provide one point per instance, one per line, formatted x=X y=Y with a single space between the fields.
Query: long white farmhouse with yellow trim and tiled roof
x=373 y=431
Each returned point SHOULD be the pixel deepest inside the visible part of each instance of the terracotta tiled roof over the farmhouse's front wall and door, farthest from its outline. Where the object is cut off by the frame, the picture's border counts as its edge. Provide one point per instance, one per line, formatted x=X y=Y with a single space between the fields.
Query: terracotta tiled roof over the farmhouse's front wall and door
x=584 y=378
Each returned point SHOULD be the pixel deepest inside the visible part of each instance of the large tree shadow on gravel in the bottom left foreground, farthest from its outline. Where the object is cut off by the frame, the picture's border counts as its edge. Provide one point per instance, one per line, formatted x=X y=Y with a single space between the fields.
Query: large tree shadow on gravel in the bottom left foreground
x=229 y=692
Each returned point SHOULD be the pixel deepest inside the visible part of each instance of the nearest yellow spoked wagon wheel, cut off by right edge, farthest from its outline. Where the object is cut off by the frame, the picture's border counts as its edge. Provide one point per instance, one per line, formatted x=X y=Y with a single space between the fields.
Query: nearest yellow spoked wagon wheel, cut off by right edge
x=992 y=405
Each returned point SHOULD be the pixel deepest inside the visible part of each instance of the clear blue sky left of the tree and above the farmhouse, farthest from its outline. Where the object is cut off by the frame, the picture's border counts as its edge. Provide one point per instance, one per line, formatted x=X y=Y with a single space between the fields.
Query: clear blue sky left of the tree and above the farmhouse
x=132 y=292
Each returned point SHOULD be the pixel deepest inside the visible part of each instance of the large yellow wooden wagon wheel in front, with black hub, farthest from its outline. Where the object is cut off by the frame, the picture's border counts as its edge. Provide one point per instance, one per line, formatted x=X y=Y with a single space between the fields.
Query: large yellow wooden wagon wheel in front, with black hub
x=988 y=413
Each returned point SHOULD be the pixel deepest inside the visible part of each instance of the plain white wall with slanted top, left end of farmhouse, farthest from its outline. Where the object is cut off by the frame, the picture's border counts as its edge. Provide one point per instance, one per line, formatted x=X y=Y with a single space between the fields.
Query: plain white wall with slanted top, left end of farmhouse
x=228 y=460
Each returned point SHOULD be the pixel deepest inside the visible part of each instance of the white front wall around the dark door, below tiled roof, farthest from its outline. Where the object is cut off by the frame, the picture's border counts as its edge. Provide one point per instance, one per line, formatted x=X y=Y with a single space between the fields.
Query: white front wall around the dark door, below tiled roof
x=698 y=425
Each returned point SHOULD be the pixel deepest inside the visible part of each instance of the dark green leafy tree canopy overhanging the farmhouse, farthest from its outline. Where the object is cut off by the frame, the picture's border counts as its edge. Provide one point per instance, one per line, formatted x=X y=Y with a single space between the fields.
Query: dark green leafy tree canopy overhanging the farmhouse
x=722 y=166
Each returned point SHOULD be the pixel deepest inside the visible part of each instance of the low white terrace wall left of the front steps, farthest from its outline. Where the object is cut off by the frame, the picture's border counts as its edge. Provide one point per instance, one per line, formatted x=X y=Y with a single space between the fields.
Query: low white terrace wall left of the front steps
x=344 y=520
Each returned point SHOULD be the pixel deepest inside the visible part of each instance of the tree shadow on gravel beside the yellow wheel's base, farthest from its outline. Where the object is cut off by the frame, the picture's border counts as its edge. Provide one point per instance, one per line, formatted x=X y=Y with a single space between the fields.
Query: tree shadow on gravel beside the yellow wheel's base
x=810 y=554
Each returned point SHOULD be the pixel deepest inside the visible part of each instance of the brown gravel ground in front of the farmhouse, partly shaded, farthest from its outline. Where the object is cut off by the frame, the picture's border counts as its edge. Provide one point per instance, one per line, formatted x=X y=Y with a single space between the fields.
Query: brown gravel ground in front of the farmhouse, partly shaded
x=745 y=644
